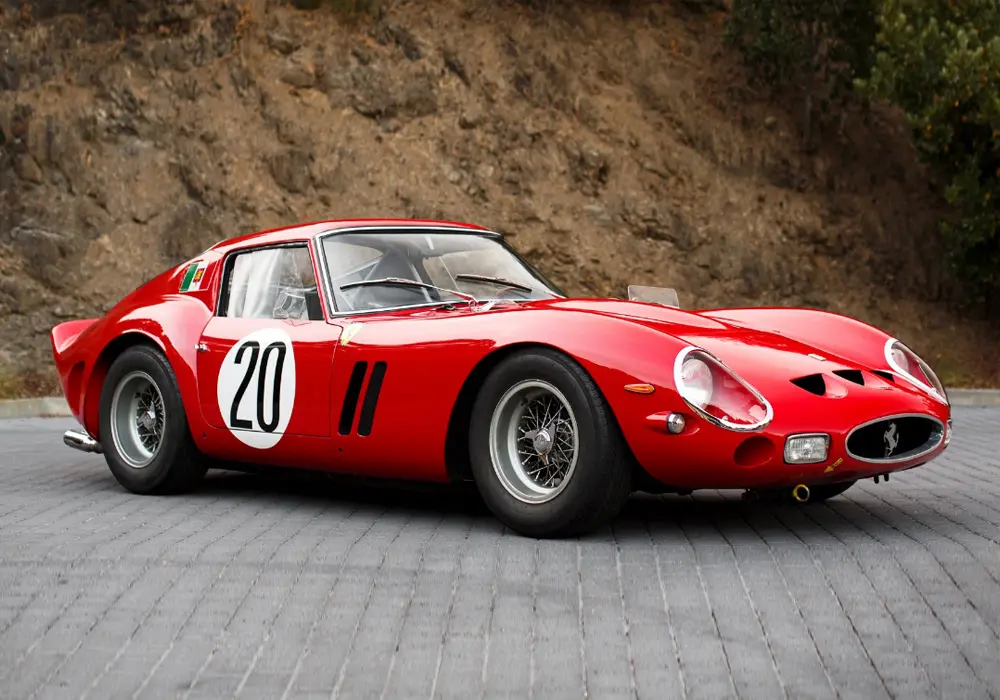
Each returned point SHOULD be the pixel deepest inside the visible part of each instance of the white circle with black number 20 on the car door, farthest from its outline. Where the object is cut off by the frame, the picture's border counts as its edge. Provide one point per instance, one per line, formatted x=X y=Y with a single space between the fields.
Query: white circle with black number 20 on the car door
x=256 y=388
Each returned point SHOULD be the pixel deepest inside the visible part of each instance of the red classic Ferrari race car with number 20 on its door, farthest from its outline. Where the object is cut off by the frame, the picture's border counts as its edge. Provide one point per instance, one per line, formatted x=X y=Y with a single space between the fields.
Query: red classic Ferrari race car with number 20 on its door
x=432 y=351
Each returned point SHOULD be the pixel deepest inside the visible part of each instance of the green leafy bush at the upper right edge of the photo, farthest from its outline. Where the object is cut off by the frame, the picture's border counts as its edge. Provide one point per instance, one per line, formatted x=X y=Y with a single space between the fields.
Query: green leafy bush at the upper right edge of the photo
x=939 y=60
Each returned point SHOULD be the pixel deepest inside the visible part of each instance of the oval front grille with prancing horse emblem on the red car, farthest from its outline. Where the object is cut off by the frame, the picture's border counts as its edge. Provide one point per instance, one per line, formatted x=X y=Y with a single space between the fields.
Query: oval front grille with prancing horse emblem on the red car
x=895 y=439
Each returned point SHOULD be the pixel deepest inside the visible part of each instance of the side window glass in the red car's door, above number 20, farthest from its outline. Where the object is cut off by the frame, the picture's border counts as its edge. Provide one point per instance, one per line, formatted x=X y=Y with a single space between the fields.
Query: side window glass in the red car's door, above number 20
x=275 y=283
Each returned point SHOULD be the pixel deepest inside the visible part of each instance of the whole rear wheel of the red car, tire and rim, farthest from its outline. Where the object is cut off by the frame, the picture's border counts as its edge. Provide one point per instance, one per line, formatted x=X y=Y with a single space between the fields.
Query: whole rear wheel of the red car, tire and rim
x=144 y=431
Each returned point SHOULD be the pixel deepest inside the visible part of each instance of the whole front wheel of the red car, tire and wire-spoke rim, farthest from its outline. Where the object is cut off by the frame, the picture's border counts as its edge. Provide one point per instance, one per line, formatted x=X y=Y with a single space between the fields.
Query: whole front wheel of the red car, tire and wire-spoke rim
x=546 y=452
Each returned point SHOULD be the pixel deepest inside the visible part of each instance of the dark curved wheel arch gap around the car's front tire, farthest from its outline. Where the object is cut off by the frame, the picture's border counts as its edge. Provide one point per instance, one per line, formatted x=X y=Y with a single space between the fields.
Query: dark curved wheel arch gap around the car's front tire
x=457 y=457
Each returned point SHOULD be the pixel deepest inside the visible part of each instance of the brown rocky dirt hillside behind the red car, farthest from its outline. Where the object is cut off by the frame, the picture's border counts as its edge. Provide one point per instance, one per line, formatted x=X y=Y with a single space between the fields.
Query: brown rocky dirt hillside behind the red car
x=613 y=145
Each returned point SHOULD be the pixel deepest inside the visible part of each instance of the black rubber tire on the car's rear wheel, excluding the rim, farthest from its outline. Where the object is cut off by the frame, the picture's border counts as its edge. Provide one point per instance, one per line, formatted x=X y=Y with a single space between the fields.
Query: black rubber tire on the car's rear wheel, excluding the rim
x=176 y=465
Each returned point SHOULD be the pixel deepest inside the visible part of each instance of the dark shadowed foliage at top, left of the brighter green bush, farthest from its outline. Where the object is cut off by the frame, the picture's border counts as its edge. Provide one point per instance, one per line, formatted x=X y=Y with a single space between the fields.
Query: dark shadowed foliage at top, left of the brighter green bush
x=818 y=46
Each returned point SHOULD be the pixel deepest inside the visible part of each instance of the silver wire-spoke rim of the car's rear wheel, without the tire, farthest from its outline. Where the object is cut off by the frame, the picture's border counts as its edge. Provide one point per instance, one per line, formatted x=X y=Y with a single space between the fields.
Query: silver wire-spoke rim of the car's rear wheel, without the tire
x=137 y=419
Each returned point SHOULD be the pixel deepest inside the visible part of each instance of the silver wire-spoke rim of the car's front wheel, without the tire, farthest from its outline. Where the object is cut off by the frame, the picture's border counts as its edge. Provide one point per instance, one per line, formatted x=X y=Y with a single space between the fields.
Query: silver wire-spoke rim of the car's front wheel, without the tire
x=534 y=441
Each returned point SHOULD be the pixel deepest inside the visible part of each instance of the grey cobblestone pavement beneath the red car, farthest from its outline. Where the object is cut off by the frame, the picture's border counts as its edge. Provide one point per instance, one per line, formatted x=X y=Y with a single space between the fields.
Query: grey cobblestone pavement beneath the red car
x=305 y=587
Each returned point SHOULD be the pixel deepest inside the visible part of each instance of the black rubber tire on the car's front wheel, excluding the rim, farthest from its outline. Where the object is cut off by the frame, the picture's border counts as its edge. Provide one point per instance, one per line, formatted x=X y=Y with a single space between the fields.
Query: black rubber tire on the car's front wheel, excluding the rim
x=600 y=482
